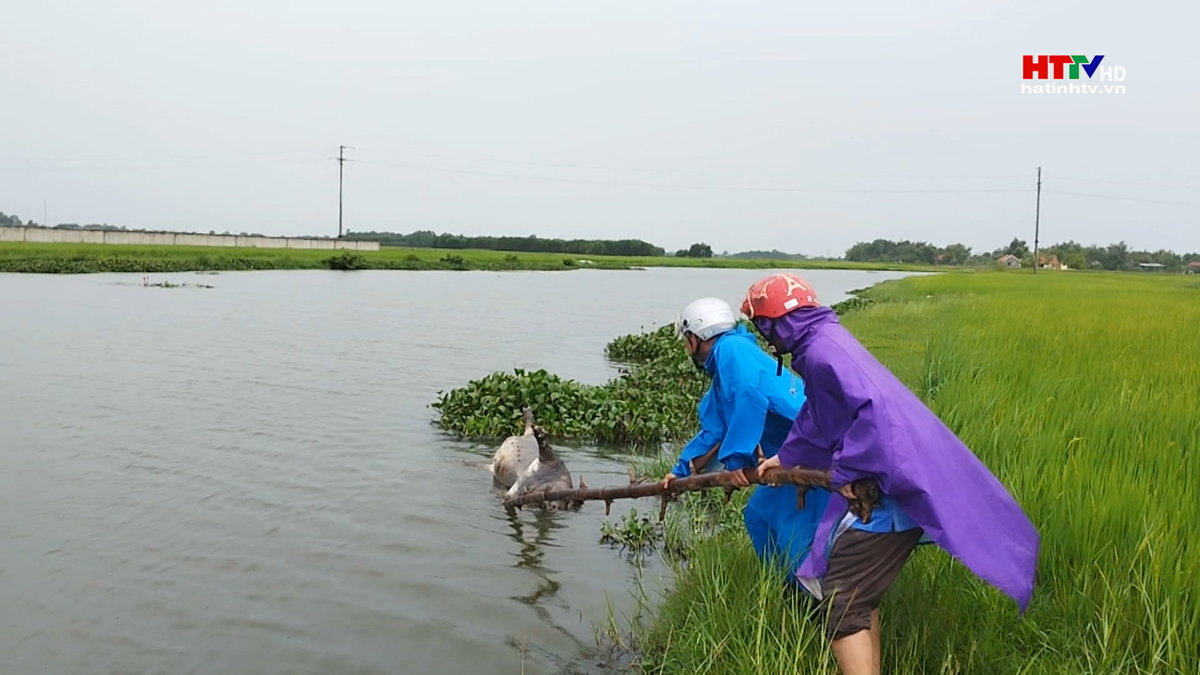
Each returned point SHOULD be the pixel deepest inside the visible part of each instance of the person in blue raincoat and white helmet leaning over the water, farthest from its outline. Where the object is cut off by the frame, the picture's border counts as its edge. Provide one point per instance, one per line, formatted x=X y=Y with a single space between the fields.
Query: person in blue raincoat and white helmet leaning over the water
x=746 y=415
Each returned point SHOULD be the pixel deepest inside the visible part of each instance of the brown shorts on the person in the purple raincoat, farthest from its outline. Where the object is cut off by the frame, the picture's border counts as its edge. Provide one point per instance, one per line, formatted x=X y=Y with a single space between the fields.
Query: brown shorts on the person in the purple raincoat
x=862 y=566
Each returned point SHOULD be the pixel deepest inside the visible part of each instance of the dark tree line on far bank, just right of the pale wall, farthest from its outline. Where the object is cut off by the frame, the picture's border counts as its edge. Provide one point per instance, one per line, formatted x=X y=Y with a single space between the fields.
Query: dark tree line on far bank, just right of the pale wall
x=428 y=240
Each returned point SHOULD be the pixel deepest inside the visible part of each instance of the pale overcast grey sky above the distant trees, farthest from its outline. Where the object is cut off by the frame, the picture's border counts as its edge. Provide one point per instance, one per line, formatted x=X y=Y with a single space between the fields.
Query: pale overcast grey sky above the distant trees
x=777 y=124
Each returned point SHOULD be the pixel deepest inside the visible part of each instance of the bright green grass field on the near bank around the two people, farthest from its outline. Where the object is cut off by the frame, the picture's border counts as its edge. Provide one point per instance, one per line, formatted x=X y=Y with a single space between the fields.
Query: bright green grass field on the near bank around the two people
x=1083 y=395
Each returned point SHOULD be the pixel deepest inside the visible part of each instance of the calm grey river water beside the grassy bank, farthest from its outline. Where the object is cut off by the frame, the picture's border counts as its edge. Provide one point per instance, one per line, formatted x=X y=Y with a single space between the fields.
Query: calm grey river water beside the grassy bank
x=247 y=479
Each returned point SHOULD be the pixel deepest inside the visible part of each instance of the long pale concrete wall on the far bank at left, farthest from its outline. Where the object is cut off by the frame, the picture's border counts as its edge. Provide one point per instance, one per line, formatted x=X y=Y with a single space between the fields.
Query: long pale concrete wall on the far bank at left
x=47 y=236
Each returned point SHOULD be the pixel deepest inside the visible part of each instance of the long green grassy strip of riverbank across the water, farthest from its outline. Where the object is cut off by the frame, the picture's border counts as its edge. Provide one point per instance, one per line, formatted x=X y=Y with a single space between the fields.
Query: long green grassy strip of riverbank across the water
x=83 y=259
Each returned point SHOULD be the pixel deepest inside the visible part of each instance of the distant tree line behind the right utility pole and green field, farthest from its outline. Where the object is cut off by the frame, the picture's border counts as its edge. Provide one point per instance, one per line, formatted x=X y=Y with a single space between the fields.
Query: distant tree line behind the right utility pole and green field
x=1072 y=254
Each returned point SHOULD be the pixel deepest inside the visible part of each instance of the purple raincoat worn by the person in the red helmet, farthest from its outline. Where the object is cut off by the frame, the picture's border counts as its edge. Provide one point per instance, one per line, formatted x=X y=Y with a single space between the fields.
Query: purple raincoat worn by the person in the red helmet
x=862 y=422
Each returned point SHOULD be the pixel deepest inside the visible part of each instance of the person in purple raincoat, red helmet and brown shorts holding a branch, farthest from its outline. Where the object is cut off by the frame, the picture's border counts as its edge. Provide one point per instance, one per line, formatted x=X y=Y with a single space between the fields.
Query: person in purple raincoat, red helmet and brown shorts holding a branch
x=862 y=423
